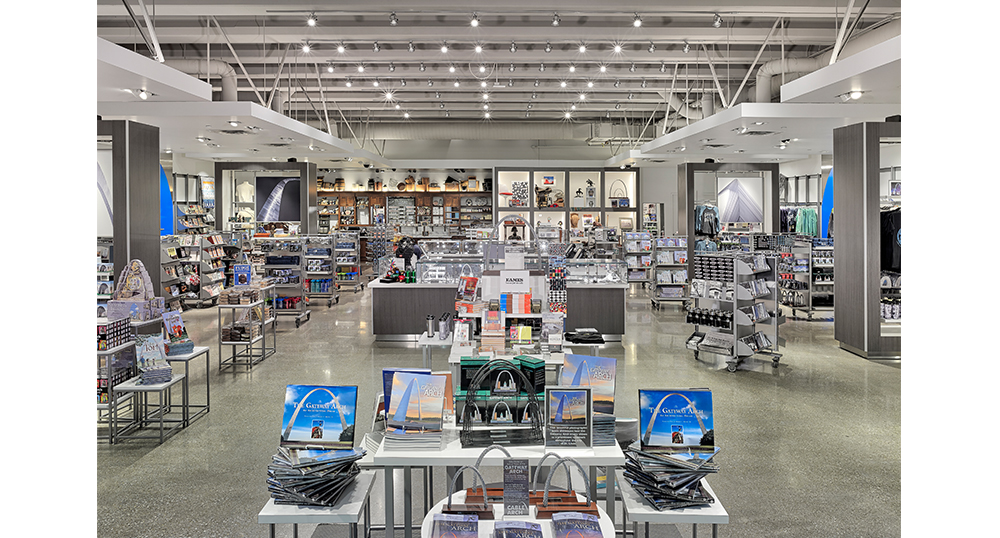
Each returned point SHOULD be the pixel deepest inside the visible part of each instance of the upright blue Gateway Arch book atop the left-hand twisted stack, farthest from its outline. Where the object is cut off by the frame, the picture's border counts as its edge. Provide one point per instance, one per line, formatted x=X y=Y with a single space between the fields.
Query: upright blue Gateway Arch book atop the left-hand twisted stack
x=318 y=416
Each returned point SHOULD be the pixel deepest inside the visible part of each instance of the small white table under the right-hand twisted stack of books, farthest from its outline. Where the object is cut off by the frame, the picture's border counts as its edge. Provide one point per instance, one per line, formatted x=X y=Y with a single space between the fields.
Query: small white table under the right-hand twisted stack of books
x=639 y=511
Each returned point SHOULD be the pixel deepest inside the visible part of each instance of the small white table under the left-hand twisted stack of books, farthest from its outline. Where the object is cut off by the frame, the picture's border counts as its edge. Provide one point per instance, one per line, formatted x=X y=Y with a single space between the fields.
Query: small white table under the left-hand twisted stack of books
x=352 y=507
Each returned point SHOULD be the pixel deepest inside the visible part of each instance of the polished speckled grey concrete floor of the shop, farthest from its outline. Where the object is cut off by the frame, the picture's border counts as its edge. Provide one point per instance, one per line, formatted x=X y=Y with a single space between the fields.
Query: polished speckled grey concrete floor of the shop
x=810 y=448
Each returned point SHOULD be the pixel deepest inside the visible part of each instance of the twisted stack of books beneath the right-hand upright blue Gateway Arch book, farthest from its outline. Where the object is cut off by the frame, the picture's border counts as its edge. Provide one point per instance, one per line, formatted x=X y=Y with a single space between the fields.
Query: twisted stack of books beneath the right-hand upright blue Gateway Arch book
x=670 y=480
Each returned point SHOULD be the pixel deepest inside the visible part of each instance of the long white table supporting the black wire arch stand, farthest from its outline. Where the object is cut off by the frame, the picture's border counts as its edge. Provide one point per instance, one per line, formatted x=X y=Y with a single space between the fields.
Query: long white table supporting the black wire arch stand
x=453 y=456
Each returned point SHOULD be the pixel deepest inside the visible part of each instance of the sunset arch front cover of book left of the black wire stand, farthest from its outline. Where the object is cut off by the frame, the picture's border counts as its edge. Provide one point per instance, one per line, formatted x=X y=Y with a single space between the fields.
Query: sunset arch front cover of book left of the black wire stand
x=417 y=401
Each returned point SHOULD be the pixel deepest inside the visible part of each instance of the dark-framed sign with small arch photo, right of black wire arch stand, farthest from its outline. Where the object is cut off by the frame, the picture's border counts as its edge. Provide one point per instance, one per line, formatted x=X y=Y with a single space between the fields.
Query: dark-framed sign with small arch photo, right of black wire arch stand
x=569 y=416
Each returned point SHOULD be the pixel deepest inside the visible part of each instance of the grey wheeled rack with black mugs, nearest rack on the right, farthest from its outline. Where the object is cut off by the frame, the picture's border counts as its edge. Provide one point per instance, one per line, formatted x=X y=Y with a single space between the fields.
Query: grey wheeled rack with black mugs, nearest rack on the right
x=741 y=286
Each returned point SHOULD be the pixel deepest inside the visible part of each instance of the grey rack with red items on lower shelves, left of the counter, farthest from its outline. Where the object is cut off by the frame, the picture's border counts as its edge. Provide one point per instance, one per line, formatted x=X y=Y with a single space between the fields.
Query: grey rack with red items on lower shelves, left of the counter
x=283 y=262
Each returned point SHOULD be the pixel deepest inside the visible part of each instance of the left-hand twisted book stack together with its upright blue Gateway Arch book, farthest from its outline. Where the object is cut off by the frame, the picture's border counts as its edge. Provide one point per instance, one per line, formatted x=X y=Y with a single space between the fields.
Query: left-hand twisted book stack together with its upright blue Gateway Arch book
x=316 y=461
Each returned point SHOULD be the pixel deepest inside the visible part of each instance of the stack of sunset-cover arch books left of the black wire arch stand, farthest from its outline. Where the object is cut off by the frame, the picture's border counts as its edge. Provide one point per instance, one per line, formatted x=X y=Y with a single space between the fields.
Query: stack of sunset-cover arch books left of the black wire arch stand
x=415 y=412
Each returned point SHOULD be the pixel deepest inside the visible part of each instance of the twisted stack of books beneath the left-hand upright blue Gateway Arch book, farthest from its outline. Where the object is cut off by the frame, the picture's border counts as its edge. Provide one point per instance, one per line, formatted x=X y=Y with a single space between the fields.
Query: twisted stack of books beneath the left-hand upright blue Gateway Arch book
x=311 y=477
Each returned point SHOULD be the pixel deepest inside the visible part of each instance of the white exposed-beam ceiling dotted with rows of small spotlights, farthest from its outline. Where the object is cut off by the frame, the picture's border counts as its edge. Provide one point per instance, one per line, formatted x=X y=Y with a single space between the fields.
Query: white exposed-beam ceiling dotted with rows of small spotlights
x=591 y=100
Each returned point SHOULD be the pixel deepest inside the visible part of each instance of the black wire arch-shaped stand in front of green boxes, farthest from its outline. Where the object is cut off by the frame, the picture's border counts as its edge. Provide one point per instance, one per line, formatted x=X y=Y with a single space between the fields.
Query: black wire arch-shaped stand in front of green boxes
x=515 y=436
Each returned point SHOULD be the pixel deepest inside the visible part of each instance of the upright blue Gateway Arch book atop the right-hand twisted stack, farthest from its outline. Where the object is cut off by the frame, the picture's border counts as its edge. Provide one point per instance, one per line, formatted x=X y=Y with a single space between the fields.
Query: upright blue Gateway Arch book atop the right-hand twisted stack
x=676 y=420
